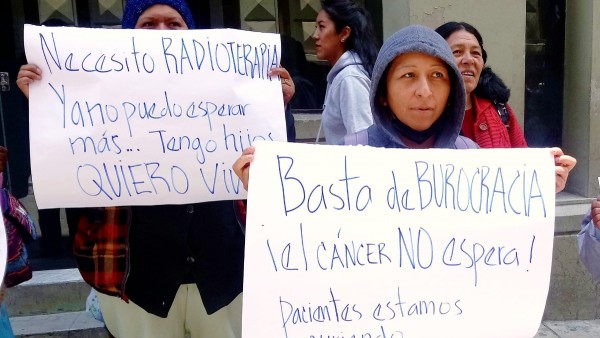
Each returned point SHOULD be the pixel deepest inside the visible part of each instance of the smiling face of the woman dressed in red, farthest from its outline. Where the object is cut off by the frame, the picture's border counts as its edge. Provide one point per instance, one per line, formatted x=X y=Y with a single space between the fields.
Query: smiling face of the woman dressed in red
x=469 y=57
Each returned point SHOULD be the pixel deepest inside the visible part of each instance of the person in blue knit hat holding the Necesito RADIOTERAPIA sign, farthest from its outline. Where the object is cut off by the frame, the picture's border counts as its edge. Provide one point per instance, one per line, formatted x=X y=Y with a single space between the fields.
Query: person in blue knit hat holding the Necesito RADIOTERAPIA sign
x=167 y=270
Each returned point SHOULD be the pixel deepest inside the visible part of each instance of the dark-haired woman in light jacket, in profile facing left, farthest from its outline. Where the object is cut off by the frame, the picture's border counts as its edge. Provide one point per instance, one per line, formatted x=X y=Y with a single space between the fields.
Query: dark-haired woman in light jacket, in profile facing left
x=344 y=37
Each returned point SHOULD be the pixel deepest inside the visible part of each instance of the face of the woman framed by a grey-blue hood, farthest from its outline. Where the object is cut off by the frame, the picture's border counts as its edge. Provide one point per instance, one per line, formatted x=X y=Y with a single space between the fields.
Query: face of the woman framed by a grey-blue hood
x=418 y=86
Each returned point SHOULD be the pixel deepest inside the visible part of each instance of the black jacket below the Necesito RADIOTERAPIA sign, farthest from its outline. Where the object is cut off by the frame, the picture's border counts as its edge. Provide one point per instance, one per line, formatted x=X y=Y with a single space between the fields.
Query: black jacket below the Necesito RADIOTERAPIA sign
x=175 y=244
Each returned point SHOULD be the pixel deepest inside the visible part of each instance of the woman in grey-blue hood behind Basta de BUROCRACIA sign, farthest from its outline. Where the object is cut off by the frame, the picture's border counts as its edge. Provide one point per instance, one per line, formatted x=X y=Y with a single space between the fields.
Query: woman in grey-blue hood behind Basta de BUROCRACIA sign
x=417 y=93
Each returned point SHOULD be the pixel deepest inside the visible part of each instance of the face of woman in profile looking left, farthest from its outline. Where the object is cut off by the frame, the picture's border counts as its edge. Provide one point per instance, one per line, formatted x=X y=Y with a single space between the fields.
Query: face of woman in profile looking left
x=328 y=43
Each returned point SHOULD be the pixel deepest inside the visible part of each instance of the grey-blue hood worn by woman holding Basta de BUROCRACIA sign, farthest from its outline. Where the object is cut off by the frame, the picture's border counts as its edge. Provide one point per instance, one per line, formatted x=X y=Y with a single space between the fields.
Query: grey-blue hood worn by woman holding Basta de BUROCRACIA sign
x=416 y=38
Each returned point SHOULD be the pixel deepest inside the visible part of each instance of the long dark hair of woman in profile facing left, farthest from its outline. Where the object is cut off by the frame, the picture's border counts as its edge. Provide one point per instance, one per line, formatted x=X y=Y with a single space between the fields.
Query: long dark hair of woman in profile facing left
x=362 y=39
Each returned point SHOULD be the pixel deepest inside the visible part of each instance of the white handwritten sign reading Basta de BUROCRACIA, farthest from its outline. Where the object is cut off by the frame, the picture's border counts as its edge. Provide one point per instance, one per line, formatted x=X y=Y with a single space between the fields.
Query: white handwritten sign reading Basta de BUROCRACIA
x=367 y=242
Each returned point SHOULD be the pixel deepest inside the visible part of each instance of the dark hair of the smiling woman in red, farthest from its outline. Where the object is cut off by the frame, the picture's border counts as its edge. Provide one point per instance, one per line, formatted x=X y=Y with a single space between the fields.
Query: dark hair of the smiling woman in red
x=490 y=85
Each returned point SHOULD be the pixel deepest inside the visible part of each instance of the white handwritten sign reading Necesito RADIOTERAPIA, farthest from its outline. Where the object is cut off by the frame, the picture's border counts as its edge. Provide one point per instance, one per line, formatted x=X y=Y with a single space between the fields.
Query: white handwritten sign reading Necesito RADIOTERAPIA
x=133 y=117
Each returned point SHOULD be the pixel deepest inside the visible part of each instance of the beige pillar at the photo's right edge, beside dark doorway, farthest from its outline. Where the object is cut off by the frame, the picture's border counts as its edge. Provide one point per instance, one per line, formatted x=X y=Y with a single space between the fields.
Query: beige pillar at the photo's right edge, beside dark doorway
x=581 y=125
